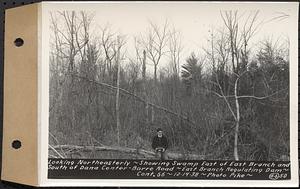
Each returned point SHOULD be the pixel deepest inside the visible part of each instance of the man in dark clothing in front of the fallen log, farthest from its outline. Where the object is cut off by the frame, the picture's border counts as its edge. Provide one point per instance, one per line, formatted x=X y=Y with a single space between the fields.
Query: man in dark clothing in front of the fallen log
x=160 y=144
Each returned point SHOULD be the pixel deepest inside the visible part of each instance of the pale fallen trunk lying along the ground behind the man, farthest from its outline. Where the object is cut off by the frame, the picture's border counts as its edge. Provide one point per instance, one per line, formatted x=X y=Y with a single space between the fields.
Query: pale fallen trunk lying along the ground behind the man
x=69 y=149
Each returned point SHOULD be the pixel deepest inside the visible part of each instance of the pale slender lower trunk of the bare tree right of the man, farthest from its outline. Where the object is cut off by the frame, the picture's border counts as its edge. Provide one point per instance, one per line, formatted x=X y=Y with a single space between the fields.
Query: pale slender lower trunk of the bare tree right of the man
x=236 y=131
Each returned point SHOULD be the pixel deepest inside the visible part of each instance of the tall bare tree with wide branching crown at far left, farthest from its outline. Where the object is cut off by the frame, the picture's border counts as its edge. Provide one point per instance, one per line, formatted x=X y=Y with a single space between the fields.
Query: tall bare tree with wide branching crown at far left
x=71 y=36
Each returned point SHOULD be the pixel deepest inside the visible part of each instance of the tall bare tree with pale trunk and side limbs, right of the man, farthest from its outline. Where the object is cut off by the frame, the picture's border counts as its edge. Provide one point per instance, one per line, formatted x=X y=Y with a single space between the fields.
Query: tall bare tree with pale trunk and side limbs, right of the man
x=238 y=46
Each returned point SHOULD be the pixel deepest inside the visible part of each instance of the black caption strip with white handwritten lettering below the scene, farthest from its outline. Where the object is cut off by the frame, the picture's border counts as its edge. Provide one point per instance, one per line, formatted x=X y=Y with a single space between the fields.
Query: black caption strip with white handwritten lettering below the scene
x=177 y=169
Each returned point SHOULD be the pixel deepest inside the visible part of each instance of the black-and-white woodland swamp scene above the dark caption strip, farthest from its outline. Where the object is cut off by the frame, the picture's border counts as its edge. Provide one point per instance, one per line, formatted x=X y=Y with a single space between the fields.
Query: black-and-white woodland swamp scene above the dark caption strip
x=144 y=81
